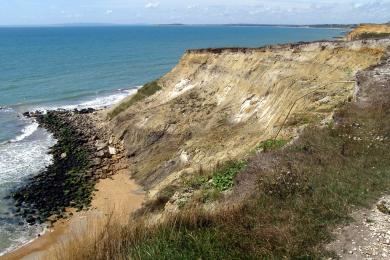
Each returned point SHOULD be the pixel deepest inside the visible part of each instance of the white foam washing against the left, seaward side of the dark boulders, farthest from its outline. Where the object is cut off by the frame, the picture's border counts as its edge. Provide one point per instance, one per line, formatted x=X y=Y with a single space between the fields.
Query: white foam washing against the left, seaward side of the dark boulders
x=18 y=160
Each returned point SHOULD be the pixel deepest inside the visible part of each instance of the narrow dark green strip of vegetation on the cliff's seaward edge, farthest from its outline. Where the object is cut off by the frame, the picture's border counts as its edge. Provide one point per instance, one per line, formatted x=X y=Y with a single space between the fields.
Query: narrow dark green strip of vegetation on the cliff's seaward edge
x=142 y=93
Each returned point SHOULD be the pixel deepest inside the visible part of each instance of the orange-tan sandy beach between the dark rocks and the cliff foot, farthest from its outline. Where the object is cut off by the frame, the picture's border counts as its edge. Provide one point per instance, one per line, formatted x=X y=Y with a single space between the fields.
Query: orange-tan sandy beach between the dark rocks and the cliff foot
x=118 y=197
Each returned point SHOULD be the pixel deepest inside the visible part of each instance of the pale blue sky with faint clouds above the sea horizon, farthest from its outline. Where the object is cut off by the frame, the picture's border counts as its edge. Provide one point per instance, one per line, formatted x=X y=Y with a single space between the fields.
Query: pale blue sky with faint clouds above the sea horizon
x=35 y=12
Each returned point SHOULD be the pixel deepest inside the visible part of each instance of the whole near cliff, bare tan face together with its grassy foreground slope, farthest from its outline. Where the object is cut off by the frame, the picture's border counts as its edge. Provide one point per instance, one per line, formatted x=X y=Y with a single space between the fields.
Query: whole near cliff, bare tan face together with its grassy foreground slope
x=307 y=129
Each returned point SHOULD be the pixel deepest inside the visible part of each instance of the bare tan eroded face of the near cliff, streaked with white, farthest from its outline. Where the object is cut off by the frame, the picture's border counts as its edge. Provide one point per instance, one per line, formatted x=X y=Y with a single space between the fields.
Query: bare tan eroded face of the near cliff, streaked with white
x=219 y=104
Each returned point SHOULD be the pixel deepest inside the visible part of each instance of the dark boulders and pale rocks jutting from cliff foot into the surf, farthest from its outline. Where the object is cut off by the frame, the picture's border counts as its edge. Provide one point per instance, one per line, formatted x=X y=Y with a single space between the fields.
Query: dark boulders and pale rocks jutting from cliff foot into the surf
x=85 y=152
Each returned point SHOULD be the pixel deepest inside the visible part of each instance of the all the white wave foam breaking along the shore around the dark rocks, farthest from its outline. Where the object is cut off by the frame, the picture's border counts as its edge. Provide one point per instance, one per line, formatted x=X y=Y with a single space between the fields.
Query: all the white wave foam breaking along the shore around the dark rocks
x=27 y=154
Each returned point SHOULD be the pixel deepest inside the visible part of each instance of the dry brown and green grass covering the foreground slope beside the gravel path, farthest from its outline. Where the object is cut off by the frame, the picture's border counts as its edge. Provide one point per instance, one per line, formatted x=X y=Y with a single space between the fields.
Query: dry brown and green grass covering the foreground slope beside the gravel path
x=284 y=203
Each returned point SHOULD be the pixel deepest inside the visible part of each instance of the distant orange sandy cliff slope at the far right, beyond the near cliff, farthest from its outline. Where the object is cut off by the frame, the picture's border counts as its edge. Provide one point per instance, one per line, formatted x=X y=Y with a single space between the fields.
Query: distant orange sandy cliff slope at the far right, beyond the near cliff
x=369 y=31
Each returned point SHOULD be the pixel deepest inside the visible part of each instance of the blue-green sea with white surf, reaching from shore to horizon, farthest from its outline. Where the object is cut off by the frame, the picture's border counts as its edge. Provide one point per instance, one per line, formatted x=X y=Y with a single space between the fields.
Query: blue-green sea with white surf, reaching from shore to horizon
x=69 y=67
